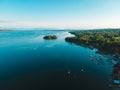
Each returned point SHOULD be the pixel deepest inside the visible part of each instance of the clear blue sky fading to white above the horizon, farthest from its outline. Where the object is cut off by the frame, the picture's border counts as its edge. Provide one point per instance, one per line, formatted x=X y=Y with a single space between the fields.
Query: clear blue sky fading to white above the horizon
x=62 y=14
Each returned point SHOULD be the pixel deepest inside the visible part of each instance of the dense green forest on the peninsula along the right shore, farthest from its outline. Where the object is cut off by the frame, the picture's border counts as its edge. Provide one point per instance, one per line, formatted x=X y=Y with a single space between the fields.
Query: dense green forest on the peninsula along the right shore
x=107 y=41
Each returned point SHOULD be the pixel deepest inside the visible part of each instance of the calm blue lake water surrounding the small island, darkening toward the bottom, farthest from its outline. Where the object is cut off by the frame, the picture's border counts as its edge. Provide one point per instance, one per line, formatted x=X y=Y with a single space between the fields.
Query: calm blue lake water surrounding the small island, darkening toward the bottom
x=28 y=62
